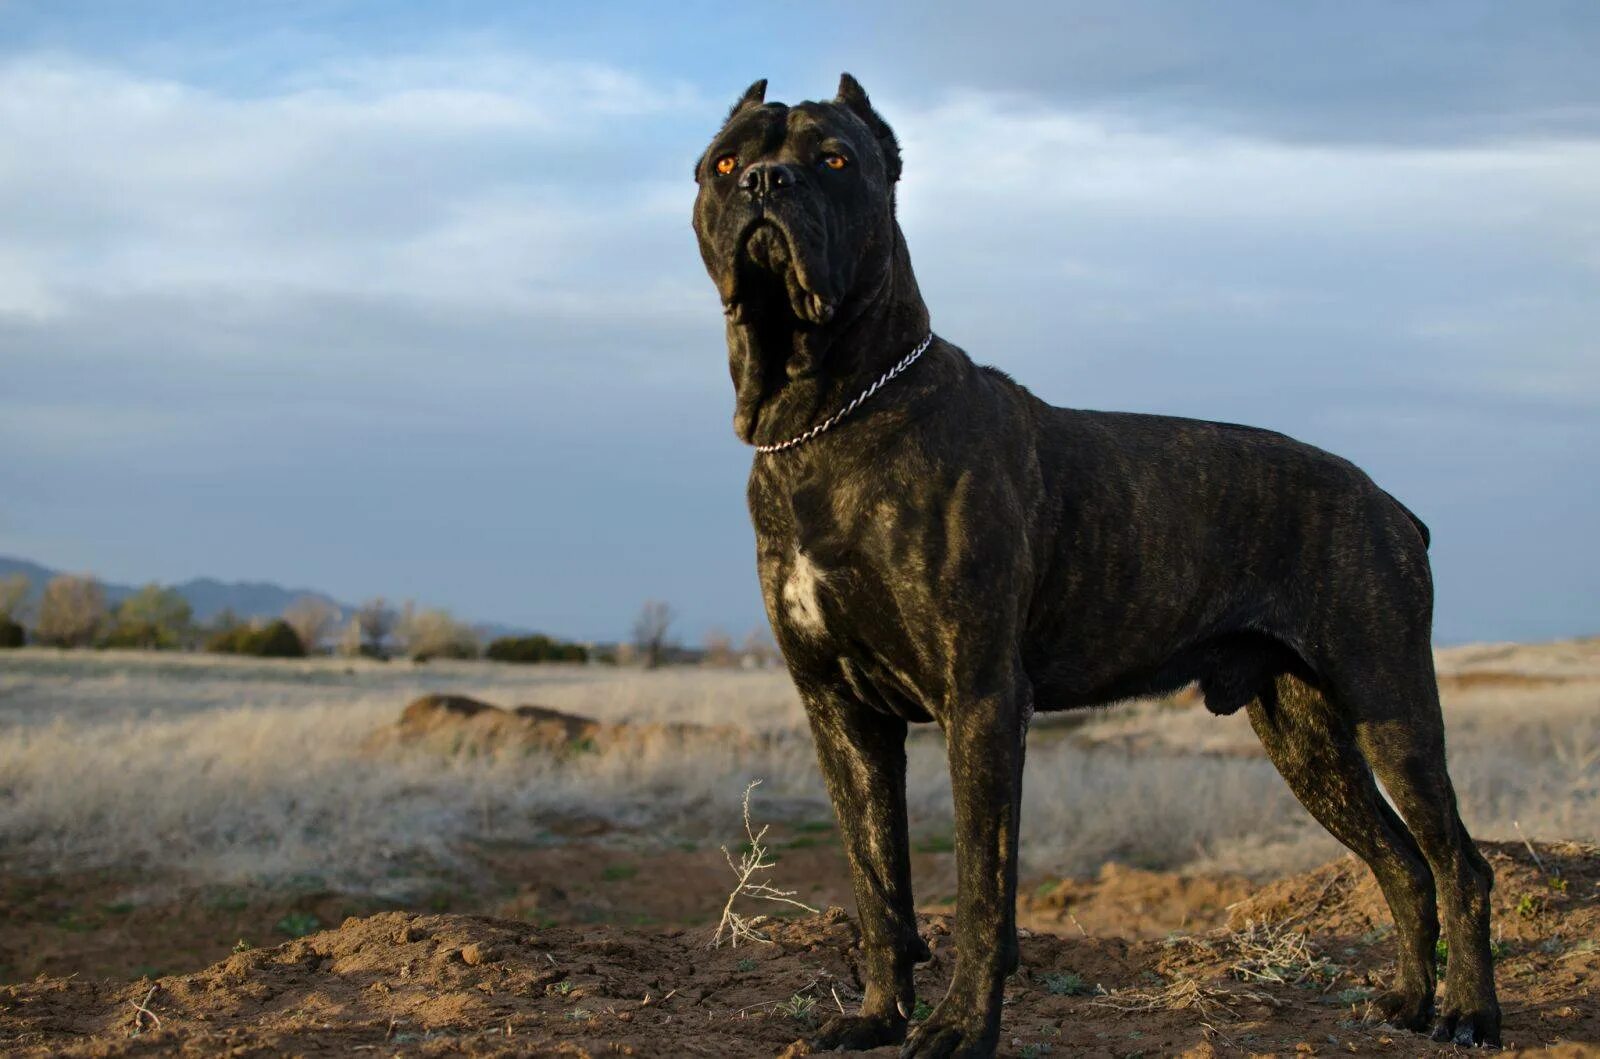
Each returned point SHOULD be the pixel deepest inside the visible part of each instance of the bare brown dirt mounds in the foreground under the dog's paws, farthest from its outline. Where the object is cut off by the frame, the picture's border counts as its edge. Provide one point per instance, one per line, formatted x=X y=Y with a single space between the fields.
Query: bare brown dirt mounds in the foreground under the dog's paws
x=1289 y=975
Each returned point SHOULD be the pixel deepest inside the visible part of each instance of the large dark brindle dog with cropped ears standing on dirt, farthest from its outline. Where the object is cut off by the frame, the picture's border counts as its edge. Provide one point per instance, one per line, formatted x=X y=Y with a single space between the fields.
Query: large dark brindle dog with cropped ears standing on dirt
x=958 y=551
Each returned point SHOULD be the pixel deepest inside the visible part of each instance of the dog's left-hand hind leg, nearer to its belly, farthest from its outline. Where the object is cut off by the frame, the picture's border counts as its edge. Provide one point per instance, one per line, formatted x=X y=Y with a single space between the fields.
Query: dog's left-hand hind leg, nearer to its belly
x=1314 y=748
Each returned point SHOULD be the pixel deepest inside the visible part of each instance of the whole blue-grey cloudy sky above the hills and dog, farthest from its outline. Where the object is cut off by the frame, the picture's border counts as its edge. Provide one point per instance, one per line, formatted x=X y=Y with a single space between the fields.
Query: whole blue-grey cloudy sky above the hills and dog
x=407 y=302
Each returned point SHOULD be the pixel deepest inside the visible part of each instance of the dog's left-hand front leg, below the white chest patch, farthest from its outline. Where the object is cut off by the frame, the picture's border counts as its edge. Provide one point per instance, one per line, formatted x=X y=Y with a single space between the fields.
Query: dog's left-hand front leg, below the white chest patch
x=863 y=757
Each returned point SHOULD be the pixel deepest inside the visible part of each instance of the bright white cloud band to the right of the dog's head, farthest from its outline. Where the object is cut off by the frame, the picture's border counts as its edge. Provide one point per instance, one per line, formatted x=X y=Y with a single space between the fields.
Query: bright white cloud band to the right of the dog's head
x=1097 y=223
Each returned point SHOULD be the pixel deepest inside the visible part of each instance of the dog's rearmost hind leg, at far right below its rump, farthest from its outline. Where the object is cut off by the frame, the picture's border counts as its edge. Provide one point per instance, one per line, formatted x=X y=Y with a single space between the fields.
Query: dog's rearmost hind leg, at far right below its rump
x=1402 y=733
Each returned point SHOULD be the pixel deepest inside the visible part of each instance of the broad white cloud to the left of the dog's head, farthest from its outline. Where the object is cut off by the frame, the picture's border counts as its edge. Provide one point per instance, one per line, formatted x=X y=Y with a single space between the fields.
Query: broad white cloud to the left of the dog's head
x=423 y=180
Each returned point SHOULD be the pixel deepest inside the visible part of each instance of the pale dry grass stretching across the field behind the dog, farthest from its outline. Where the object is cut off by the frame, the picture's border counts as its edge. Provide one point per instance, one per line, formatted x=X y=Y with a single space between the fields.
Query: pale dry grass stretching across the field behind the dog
x=239 y=770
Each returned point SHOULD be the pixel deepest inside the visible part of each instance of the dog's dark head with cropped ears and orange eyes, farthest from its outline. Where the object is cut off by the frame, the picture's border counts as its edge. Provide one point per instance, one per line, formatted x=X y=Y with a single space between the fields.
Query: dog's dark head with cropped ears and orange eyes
x=796 y=207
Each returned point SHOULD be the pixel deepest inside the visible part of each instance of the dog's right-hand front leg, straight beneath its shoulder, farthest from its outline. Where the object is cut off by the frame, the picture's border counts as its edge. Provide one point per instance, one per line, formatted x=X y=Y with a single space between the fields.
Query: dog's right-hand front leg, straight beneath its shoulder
x=985 y=735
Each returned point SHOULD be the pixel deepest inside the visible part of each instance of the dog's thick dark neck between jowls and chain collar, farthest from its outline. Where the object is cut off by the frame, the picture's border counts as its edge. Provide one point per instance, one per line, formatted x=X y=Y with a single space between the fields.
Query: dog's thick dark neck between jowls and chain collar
x=791 y=375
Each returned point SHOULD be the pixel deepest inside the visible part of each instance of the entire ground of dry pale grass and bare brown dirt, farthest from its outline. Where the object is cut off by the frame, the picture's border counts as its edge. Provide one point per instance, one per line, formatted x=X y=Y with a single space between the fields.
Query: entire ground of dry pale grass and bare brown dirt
x=161 y=813
